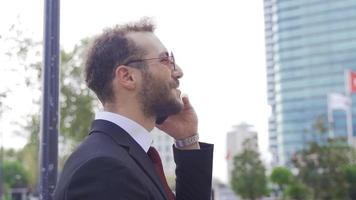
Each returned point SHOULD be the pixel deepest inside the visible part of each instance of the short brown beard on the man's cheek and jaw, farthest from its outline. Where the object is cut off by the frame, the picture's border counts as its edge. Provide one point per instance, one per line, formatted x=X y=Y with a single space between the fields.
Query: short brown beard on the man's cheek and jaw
x=157 y=98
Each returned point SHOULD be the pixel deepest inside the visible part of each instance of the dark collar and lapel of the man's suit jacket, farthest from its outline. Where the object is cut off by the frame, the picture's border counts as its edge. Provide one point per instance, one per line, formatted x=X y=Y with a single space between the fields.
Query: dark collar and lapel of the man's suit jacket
x=122 y=138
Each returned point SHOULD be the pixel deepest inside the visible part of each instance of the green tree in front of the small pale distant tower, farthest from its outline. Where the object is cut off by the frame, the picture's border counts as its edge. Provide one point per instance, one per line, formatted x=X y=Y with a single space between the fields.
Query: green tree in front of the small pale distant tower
x=248 y=175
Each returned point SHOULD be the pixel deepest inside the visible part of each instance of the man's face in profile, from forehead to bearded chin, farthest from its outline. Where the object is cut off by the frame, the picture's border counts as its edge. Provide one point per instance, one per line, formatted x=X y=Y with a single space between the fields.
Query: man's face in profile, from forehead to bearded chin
x=159 y=94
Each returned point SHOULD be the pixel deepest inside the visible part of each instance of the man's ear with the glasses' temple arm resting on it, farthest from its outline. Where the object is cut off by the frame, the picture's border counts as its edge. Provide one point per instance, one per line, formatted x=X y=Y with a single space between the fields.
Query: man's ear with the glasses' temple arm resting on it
x=126 y=77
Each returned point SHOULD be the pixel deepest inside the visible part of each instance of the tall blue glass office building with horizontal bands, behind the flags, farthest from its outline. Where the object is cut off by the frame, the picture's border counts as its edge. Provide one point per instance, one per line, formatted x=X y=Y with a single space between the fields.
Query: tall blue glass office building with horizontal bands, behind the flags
x=309 y=44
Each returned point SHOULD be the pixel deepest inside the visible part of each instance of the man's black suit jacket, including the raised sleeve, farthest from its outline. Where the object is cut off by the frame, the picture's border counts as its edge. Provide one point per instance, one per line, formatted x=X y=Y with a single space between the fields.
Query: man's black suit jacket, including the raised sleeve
x=109 y=164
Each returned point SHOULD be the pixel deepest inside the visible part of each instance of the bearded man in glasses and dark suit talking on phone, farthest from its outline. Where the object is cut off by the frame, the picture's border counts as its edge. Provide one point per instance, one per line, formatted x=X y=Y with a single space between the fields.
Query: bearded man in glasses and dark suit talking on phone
x=136 y=80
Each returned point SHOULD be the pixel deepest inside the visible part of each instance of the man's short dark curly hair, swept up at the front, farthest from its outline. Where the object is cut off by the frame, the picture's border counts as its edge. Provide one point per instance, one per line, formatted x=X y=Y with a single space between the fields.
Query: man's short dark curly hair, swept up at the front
x=109 y=50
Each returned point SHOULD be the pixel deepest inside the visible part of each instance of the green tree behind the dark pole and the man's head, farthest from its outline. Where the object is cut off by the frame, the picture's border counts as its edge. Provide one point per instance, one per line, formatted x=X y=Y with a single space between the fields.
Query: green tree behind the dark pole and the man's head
x=76 y=112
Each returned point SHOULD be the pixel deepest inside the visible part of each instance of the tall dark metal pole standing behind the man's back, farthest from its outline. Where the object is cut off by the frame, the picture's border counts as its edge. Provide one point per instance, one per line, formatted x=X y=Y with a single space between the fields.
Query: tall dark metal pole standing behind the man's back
x=50 y=93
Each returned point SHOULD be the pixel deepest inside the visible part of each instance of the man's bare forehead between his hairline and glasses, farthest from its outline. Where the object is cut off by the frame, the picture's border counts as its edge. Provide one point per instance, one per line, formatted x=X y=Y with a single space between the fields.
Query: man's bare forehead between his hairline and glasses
x=148 y=41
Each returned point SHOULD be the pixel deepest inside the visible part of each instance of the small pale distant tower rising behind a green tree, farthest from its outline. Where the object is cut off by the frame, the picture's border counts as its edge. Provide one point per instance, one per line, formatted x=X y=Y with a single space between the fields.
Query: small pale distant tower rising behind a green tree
x=235 y=143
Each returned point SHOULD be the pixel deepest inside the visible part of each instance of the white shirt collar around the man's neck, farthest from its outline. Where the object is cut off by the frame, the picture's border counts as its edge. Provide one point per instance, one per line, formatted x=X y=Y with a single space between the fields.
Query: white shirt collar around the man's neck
x=135 y=130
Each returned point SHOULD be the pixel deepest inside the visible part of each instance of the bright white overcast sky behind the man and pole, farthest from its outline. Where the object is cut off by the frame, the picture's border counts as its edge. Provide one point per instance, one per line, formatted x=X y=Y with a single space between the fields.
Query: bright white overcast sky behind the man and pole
x=219 y=44
